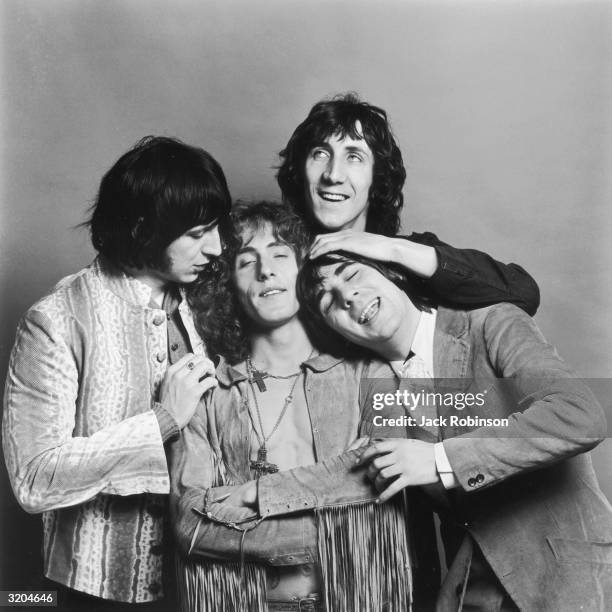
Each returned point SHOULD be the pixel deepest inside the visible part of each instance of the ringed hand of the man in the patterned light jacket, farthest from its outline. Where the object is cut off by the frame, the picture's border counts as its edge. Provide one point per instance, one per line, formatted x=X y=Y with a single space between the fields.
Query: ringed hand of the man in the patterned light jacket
x=184 y=384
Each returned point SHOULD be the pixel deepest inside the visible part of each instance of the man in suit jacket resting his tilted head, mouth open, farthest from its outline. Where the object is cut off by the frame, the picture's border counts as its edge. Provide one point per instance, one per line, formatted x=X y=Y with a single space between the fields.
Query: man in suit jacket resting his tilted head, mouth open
x=524 y=522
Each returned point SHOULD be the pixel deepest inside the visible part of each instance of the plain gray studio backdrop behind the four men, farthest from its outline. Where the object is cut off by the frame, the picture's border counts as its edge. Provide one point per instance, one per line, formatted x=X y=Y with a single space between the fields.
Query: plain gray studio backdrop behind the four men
x=503 y=110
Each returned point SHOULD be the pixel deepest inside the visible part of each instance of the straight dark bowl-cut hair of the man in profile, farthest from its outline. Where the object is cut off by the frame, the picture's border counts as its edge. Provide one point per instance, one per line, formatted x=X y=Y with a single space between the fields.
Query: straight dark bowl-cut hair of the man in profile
x=154 y=193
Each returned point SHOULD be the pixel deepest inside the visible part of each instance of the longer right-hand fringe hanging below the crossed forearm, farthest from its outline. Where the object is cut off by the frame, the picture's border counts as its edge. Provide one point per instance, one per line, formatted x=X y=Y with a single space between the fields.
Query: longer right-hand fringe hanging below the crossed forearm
x=364 y=556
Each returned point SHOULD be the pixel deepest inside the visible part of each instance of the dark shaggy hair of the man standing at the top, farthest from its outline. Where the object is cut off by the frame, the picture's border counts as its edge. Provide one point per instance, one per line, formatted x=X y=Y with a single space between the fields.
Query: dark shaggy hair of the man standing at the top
x=339 y=117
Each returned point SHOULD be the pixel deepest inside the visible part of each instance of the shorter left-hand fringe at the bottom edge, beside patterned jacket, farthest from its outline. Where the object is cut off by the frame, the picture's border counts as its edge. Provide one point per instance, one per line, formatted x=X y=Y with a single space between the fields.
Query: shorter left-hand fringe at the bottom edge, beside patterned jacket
x=216 y=586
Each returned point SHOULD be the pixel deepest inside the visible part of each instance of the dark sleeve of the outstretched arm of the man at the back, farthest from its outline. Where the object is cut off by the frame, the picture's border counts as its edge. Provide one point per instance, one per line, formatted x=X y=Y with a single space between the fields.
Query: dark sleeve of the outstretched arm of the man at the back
x=467 y=278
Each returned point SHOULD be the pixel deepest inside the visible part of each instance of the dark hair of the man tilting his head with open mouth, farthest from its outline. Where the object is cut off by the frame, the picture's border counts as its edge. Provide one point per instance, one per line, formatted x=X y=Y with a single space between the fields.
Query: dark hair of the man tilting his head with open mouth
x=308 y=289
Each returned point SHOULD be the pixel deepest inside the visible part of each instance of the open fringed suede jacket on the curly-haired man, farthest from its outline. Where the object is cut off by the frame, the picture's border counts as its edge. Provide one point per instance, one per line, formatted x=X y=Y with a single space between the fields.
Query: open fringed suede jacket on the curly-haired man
x=362 y=547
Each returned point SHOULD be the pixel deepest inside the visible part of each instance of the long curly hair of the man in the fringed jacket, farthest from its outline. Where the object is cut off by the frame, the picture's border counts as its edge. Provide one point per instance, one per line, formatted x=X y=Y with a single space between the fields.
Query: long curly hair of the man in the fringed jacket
x=218 y=315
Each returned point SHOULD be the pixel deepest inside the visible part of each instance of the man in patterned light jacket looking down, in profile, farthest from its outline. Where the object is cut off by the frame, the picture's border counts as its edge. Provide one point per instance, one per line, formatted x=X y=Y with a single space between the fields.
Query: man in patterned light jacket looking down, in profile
x=106 y=368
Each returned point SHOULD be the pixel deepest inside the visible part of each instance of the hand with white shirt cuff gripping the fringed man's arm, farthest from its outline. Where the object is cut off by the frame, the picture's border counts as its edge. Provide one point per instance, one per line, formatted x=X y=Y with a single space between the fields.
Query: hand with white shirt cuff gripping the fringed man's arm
x=396 y=463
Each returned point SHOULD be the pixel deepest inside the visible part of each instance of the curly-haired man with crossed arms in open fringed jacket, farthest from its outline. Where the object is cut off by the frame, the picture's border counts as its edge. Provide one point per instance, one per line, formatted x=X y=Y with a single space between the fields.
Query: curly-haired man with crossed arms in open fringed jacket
x=280 y=404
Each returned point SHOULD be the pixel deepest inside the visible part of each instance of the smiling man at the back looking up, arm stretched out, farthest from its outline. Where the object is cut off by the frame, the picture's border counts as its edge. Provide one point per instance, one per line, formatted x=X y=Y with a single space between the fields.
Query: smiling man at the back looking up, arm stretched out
x=342 y=170
